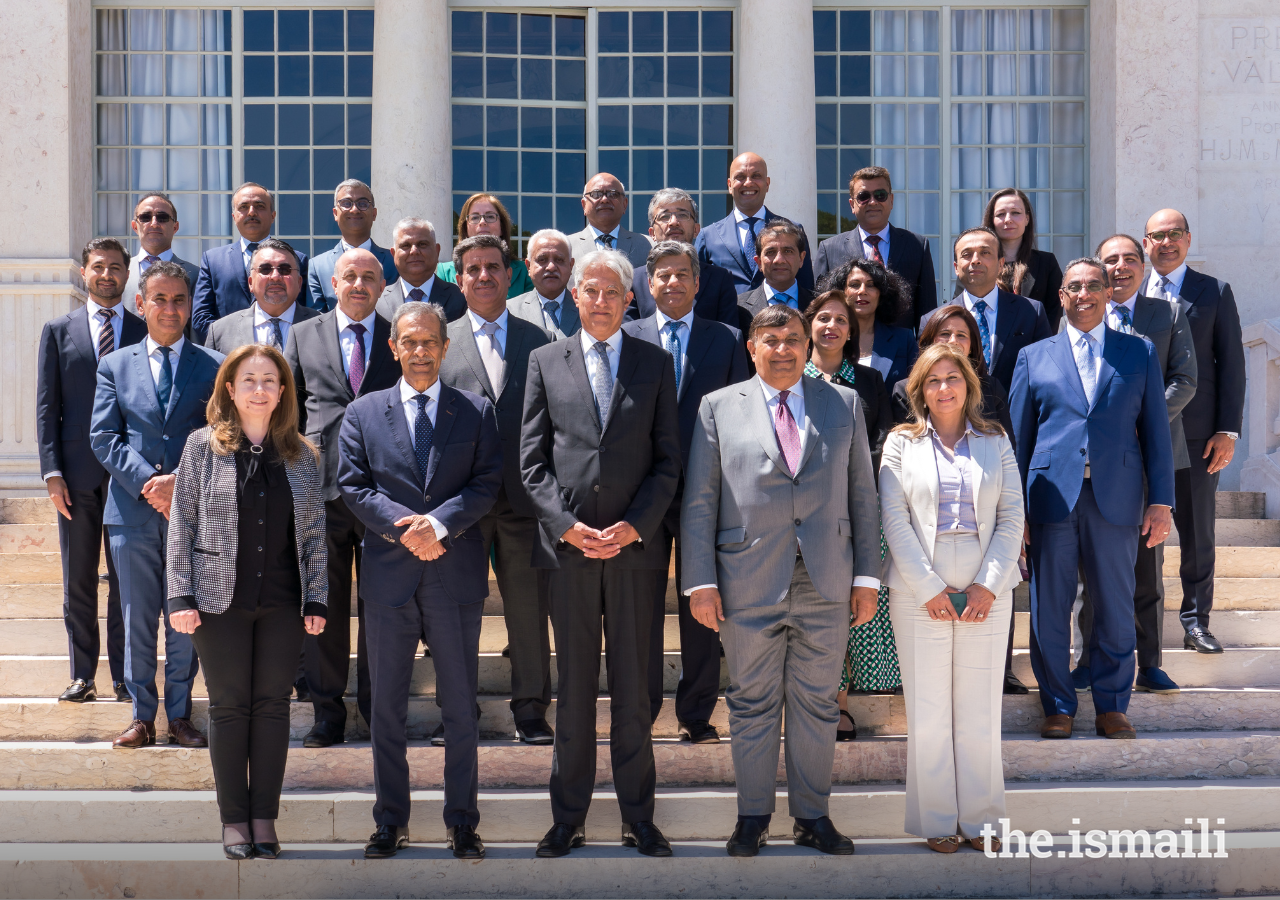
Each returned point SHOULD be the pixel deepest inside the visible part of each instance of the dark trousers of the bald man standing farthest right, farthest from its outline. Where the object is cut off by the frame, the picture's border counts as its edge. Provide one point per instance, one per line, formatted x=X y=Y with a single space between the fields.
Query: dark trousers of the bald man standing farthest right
x=1195 y=513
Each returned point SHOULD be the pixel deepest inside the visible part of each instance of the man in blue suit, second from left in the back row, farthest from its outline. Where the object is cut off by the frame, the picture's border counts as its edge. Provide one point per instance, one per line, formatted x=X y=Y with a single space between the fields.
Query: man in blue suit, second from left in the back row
x=222 y=286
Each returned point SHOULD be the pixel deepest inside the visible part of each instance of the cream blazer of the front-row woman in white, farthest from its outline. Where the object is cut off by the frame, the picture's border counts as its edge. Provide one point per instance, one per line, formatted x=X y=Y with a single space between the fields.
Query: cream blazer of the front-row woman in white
x=909 y=504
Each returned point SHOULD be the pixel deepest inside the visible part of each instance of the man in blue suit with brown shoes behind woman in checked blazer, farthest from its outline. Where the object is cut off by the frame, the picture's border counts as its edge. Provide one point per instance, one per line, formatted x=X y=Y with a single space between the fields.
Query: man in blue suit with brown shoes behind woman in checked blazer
x=149 y=399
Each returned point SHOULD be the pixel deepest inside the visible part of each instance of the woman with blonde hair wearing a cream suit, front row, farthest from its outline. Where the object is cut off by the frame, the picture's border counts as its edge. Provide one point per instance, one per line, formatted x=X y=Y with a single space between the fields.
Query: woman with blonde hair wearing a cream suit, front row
x=952 y=502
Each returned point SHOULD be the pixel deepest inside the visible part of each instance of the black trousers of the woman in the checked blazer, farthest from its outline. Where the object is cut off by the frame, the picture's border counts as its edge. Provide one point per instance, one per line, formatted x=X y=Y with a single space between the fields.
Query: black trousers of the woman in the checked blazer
x=250 y=661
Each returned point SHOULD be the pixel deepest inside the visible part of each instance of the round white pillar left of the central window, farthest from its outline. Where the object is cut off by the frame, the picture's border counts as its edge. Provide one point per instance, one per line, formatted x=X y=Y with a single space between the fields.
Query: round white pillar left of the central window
x=413 y=152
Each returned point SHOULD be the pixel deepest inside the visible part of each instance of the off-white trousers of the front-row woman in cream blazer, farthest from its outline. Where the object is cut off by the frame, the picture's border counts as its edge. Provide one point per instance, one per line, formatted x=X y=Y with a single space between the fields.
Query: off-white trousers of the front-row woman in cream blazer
x=953 y=682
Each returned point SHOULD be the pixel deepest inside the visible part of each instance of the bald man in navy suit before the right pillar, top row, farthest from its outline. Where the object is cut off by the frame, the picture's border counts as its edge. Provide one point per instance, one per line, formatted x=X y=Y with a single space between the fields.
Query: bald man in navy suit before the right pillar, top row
x=730 y=243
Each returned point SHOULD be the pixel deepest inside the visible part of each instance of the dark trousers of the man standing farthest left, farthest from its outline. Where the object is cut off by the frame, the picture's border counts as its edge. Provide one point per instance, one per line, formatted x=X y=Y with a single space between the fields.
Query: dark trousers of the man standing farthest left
x=81 y=543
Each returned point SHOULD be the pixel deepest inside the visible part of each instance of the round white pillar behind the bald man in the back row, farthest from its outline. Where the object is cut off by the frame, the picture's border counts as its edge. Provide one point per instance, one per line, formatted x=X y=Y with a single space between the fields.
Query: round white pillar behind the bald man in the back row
x=775 y=103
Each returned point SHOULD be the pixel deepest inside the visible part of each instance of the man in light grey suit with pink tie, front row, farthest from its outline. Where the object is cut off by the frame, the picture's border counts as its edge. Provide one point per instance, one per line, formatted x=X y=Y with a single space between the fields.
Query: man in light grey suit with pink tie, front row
x=780 y=519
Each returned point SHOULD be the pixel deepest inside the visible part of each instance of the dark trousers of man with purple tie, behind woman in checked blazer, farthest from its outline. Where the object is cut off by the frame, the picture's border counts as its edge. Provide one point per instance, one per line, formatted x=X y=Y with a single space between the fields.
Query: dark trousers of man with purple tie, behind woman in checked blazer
x=330 y=654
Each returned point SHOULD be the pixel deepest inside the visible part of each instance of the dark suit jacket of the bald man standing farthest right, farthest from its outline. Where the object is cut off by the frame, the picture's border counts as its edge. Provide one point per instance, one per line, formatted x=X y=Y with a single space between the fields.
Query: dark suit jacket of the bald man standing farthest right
x=1215 y=325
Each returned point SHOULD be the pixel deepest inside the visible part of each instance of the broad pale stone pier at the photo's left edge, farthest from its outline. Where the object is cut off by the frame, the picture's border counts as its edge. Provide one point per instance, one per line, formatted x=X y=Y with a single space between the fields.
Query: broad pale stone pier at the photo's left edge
x=48 y=147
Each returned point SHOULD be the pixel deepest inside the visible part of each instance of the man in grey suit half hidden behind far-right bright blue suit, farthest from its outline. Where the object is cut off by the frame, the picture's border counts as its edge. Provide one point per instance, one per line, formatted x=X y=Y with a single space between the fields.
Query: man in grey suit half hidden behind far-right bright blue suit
x=1164 y=323
